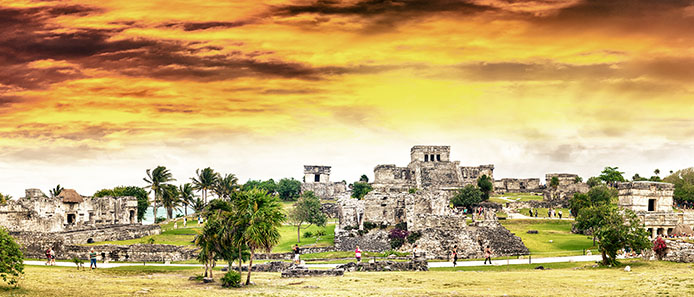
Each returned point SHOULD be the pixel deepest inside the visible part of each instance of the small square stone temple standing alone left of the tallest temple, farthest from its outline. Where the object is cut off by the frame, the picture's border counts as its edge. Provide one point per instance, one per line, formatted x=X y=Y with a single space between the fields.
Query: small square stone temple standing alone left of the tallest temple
x=317 y=179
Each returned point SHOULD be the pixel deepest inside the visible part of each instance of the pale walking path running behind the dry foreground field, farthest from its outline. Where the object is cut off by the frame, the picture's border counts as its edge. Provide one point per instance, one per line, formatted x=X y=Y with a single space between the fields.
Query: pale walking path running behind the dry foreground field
x=431 y=264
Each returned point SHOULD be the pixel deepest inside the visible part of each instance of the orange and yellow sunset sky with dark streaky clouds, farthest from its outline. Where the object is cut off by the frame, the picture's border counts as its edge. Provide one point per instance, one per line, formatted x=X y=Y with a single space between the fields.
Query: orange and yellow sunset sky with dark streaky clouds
x=93 y=93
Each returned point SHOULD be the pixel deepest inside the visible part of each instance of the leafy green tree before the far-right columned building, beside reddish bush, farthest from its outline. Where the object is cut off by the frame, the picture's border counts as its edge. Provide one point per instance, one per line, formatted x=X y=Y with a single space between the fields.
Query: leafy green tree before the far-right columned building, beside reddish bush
x=619 y=228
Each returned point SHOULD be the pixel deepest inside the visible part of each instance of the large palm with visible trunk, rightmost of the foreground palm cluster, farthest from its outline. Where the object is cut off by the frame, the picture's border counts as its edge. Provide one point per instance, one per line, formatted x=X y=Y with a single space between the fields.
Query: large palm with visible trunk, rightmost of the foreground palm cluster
x=259 y=215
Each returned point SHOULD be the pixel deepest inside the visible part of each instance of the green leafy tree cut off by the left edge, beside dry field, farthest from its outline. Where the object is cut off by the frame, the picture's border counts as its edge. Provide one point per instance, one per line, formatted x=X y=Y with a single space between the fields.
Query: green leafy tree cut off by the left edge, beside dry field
x=11 y=259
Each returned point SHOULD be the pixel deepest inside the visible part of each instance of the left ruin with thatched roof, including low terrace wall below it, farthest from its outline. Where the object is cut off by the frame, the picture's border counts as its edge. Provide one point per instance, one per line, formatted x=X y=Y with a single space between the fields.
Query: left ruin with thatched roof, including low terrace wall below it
x=39 y=221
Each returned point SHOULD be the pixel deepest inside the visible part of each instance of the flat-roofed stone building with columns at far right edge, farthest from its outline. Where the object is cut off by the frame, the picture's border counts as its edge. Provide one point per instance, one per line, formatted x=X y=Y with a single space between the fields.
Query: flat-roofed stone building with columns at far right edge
x=652 y=202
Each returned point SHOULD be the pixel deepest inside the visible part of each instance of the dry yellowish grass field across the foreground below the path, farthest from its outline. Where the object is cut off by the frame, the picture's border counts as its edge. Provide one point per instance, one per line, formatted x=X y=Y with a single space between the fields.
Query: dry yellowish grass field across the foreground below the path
x=568 y=279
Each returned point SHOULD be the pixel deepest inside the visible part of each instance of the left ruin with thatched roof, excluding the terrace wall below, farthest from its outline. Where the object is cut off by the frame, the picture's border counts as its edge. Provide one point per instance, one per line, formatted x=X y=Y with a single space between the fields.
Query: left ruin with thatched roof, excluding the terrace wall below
x=39 y=213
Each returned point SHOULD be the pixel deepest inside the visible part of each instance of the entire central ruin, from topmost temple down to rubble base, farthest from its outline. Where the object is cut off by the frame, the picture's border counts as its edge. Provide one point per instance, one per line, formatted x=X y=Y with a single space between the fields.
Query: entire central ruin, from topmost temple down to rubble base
x=418 y=196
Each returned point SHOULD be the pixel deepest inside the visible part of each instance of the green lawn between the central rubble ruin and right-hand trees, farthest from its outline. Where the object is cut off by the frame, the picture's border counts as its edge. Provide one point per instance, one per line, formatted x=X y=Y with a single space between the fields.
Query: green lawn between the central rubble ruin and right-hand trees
x=564 y=243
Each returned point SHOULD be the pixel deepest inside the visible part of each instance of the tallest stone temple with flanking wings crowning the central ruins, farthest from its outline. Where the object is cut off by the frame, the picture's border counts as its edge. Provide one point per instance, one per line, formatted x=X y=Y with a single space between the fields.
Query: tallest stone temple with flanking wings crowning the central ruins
x=430 y=167
